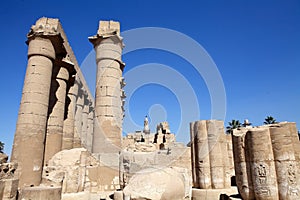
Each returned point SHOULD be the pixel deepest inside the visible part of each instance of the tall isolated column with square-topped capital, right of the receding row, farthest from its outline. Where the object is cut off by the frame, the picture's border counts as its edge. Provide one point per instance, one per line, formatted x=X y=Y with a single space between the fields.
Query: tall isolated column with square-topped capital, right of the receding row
x=108 y=45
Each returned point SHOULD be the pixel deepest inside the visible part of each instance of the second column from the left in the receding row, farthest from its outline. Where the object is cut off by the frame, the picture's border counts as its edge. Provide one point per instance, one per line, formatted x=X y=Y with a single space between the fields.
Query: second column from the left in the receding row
x=55 y=124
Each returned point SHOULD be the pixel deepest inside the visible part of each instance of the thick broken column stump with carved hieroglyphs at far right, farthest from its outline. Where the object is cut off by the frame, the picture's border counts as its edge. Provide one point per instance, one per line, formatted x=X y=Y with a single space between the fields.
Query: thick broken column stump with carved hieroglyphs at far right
x=267 y=161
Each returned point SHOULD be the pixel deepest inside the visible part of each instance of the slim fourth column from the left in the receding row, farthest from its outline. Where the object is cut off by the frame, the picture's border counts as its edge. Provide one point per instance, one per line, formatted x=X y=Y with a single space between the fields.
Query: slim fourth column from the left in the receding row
x=78 y=118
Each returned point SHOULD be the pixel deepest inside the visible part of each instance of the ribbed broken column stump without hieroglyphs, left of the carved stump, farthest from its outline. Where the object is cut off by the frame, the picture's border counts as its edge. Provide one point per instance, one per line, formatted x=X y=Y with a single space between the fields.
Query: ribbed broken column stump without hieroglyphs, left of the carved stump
x=210 y=164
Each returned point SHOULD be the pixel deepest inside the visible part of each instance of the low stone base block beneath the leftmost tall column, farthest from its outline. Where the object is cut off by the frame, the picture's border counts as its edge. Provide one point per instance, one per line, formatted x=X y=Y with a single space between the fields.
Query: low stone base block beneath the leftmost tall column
x=40 y=193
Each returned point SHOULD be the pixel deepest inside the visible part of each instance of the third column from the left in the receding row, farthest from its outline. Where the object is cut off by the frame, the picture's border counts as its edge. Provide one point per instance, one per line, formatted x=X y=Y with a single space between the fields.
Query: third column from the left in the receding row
x=69 y=123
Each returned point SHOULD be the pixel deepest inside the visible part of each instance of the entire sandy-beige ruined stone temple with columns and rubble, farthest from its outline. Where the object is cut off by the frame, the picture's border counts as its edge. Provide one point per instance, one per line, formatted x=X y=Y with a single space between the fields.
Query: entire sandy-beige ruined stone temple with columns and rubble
x=68 y=142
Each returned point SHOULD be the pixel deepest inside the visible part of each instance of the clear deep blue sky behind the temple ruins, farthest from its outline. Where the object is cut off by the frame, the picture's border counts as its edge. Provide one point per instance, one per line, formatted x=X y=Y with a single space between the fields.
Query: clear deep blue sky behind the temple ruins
x=254 y=44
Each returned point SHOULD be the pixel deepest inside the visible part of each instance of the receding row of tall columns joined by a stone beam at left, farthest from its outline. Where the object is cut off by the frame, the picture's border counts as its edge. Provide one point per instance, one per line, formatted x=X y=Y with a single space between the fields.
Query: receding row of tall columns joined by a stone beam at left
x=56 y=112
